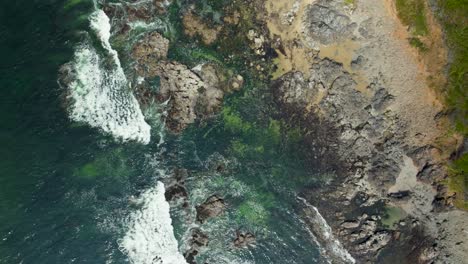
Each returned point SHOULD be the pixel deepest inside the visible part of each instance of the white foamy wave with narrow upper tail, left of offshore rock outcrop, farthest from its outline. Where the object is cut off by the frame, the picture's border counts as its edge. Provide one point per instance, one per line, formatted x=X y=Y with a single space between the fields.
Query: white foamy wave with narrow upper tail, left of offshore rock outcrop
x=98 y=91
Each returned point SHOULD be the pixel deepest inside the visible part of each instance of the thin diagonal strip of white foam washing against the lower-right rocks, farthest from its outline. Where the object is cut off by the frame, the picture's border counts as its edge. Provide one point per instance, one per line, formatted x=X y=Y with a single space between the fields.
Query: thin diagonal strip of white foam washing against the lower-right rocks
x=323 y=233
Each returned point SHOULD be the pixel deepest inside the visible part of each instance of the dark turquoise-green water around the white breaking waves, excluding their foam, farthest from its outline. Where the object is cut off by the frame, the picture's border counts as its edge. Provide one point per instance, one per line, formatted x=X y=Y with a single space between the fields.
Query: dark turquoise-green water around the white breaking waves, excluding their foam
x=66 y=189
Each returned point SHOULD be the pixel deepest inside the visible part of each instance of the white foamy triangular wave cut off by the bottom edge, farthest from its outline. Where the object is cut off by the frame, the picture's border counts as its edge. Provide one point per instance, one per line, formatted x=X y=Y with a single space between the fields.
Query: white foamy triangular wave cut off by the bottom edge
x=150 y=238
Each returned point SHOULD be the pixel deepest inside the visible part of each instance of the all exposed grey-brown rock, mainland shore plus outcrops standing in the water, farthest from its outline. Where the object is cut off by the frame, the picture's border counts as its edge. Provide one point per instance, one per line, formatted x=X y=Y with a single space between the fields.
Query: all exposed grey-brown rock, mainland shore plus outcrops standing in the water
x=363 y=102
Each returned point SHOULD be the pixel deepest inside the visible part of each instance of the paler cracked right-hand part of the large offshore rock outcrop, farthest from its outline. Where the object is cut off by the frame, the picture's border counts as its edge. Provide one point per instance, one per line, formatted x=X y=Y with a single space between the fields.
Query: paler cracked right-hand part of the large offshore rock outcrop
x=193 y=94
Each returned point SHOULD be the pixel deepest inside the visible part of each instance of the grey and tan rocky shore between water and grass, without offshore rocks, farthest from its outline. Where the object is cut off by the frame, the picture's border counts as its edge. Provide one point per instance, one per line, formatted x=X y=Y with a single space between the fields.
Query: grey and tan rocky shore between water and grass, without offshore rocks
x=375 y=97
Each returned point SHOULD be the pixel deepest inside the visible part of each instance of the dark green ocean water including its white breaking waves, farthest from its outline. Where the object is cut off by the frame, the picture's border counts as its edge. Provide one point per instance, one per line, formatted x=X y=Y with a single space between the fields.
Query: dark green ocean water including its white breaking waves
x=82 y=165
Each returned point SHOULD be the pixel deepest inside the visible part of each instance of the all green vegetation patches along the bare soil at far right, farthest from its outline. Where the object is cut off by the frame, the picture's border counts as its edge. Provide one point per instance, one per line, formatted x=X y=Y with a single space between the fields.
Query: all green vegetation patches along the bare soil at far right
x=453 y=17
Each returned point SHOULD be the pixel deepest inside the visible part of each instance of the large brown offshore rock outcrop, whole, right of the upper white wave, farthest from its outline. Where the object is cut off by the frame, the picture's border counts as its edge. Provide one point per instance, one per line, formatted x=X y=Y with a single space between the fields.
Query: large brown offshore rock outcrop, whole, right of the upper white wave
x=191 y=94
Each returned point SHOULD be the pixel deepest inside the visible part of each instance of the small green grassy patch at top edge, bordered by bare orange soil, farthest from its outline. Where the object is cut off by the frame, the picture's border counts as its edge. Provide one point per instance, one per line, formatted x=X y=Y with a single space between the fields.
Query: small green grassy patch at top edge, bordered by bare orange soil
x=412 y=14
